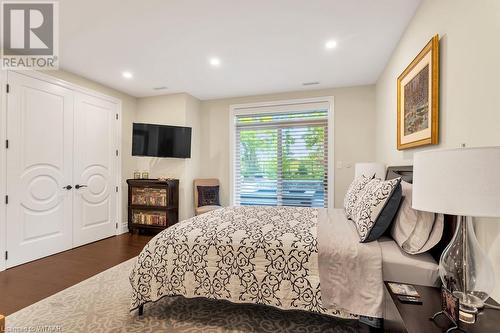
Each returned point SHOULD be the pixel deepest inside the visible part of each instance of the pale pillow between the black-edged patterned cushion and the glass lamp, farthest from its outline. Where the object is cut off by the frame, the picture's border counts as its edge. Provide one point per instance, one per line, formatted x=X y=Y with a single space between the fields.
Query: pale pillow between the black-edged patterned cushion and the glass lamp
x=415 y=231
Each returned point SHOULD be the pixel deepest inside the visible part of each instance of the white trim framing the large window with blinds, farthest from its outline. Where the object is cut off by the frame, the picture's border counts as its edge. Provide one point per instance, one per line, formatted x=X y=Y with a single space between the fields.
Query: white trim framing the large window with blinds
x=263 y=107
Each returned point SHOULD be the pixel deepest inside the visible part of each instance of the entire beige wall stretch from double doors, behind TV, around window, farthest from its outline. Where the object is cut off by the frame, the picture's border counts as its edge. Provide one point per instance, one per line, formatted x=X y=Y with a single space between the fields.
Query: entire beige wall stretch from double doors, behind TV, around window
x=354 y=108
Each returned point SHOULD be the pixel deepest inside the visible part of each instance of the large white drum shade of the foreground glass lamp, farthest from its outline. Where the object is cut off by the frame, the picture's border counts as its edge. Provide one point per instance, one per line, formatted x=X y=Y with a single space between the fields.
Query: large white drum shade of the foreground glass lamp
x=463 y=182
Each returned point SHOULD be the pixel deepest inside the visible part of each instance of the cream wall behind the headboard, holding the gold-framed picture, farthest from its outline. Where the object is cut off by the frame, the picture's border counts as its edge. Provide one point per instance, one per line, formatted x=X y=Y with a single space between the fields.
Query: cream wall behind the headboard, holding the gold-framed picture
x=470 y=112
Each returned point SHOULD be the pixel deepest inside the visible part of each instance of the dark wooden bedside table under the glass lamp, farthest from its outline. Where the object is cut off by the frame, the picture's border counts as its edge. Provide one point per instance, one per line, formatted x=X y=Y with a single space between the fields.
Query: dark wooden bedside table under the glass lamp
x=414 y=318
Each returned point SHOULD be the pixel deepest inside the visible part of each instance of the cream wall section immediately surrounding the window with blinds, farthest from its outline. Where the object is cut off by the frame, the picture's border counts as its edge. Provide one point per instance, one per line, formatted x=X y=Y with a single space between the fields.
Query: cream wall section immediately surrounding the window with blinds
x=354 y=130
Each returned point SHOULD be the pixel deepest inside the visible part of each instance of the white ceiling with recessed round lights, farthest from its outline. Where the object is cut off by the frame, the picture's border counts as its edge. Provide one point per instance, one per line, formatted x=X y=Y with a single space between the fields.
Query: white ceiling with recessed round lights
x=264 y=46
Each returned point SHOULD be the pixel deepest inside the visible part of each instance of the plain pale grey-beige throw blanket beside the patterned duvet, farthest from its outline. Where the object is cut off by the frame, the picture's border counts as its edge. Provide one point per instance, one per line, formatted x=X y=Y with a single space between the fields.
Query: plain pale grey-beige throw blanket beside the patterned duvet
x=350 y=271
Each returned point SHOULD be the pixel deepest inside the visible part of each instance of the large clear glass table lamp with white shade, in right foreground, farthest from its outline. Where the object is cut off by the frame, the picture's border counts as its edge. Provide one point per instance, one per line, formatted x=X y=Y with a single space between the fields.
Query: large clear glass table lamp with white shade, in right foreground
x=463 y=182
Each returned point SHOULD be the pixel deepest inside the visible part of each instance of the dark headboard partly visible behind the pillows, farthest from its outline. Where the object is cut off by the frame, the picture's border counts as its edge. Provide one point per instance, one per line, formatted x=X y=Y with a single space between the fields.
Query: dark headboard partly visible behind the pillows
x=406 y=173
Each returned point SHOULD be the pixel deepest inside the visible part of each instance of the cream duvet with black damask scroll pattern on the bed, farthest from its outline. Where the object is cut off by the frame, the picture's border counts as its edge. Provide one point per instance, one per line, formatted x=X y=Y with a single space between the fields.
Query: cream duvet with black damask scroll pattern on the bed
x=264 y=255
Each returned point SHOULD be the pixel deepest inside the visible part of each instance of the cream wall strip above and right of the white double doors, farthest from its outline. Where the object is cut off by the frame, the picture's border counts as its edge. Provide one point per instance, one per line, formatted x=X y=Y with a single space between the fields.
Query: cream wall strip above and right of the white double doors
x=129 y=105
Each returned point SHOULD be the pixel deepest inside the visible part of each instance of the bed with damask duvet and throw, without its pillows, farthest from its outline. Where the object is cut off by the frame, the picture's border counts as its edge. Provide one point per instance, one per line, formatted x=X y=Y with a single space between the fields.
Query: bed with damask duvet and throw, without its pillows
x=275 y=256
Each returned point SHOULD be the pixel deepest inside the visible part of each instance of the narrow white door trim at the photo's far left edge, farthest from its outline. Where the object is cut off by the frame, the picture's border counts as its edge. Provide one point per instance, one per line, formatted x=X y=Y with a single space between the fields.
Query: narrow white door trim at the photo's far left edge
x=3 y=167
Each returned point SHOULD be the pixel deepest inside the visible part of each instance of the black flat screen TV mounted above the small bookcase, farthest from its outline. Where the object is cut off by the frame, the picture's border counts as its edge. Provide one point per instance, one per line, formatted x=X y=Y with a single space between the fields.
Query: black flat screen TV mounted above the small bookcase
x=161 y=141
